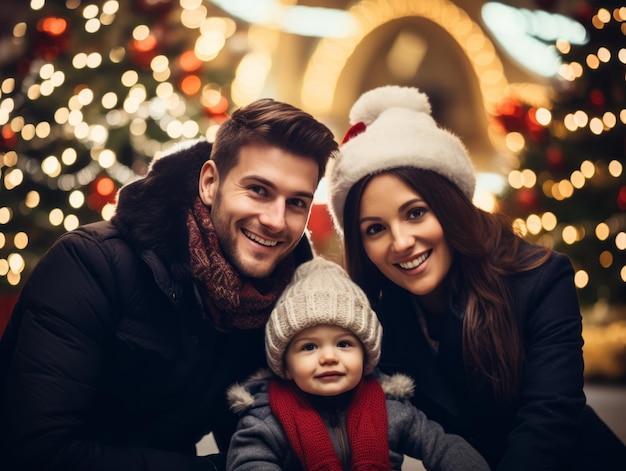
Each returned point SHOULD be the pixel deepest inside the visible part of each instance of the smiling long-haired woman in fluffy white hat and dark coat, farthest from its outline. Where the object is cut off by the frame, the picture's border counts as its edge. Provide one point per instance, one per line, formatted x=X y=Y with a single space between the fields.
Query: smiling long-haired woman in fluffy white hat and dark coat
x=488 y=325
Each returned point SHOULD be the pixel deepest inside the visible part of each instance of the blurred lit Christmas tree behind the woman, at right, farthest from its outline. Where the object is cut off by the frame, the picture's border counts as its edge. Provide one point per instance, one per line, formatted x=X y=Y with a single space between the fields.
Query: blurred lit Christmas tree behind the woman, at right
x=569 y=192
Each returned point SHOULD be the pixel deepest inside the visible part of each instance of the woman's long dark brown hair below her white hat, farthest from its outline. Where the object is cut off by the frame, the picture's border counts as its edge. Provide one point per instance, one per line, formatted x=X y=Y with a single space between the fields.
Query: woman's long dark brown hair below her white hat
x=485 y=250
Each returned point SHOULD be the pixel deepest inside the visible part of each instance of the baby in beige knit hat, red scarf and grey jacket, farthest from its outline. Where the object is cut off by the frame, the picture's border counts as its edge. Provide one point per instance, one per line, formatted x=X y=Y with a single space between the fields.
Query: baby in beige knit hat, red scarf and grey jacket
x=326 y=407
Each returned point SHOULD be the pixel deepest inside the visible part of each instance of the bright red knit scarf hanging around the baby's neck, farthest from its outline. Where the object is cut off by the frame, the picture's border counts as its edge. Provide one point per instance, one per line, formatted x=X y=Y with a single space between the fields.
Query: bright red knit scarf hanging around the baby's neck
x=366 y=427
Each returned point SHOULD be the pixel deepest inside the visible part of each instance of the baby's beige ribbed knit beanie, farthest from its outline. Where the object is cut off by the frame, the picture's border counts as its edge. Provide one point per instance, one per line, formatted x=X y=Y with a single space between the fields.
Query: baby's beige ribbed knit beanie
x=321 y=292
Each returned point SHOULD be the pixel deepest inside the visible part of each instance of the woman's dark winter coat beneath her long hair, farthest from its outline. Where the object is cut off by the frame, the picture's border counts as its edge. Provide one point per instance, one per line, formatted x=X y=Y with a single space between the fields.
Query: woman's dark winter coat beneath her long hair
x=549 y=427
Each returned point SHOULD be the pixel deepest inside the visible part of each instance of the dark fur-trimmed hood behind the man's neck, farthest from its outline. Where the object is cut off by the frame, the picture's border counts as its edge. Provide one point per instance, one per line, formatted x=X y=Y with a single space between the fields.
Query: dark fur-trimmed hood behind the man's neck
x=151 y=212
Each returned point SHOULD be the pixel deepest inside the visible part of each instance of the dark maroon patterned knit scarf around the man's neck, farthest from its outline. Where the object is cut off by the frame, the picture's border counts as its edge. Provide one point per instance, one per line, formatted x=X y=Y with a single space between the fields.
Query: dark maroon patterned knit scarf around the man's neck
x=234 y=303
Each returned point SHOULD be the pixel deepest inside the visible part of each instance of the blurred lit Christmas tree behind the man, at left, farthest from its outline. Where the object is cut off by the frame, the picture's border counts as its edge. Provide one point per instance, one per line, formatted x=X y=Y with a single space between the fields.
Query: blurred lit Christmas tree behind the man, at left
x=90 y=92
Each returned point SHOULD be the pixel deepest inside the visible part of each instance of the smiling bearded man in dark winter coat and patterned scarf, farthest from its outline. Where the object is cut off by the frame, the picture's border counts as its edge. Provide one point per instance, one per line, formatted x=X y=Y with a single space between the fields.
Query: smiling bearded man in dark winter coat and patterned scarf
x=127 y=334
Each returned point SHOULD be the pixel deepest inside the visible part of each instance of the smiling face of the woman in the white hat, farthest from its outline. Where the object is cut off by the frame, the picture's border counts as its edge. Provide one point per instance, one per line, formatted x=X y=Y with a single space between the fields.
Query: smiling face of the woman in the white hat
x=402 y=236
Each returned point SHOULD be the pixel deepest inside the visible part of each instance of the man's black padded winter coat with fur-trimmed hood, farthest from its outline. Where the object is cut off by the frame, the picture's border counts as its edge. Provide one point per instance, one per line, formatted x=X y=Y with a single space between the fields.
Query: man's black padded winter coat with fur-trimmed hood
x=108 y=362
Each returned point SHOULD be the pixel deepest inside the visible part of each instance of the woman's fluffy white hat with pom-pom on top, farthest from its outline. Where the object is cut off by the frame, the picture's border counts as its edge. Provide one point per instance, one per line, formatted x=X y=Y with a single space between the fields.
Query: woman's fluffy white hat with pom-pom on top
x=399 y=132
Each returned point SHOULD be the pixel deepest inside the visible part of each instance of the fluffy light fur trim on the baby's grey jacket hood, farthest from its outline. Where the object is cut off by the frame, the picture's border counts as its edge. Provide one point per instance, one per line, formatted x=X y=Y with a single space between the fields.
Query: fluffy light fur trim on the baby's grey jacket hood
x=241 y=396
